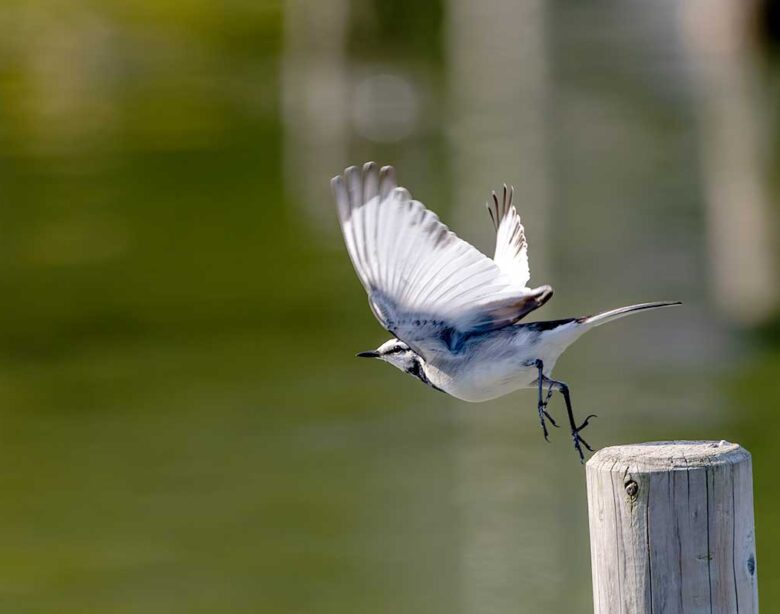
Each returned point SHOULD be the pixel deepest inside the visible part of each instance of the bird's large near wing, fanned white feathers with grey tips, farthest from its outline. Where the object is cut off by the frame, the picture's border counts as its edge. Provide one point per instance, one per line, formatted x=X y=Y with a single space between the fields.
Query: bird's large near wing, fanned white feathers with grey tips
x=425 y=285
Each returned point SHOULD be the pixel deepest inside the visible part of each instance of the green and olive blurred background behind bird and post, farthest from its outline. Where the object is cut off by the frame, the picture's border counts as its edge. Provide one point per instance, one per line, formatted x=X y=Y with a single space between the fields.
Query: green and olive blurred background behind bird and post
x=183 y=427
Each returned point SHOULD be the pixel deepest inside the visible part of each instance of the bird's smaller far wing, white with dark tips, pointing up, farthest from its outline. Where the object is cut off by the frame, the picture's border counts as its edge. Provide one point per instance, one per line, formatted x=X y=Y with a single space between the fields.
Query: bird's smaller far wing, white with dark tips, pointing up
x=511 y=247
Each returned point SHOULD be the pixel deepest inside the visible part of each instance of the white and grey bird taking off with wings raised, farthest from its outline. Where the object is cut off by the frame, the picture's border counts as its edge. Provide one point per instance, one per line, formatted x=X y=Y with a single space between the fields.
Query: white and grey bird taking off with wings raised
x=453 y=312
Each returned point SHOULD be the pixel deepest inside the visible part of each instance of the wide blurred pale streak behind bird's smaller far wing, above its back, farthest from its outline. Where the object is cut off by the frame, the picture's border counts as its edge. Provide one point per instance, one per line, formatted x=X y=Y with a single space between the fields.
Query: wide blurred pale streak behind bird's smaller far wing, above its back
x=497 y=69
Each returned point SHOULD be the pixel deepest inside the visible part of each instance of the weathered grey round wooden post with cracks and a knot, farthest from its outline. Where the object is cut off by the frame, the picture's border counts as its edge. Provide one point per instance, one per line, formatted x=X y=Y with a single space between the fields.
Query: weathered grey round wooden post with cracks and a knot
x=671 y=529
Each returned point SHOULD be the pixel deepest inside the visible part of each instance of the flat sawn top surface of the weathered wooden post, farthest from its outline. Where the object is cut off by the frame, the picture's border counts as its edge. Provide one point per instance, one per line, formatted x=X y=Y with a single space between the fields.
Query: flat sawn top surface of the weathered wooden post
x=669 y=455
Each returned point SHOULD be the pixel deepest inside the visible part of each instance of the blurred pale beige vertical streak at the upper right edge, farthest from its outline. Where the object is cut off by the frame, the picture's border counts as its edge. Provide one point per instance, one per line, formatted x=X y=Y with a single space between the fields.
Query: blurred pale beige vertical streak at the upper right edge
x=735 y=116
